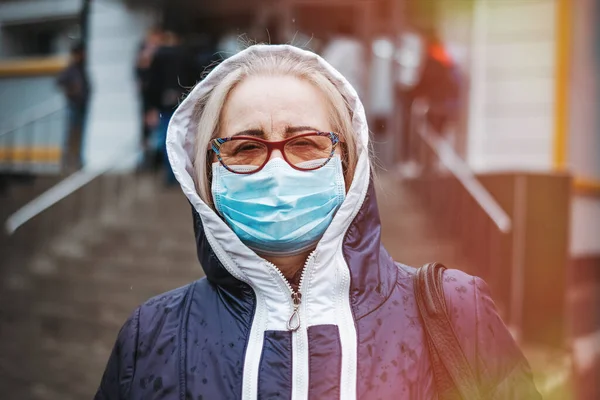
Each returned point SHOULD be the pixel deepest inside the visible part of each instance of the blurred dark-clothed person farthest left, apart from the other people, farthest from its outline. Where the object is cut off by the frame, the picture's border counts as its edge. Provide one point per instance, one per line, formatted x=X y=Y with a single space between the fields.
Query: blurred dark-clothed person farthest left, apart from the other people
x=75 y=85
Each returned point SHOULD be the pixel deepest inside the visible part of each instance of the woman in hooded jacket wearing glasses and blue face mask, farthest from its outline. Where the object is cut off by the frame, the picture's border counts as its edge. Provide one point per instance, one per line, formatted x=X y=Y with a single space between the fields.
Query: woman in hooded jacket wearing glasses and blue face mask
x=301 y=300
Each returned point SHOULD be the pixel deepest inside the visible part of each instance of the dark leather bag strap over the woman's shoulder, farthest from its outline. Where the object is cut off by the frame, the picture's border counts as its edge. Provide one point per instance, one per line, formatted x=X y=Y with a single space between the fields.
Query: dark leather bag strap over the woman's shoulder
x=453 y=376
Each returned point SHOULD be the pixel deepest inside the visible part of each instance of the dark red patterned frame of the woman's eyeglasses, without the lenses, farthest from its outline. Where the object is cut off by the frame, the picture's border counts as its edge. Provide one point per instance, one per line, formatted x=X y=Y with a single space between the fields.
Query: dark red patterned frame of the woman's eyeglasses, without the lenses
x=216 y=143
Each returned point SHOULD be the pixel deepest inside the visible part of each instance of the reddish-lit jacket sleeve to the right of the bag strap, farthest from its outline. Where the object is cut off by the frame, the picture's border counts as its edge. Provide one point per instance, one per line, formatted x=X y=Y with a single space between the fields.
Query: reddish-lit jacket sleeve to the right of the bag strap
x=499 y=364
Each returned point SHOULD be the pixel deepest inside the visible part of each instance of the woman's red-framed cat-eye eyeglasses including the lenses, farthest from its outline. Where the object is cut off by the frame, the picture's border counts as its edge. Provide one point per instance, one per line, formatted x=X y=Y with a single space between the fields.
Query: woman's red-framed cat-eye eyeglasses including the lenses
x=247 y=154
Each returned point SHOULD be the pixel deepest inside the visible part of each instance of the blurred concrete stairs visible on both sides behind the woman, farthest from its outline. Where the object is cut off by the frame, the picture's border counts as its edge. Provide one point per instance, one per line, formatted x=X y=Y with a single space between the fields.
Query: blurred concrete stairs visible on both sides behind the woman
x=61 y=310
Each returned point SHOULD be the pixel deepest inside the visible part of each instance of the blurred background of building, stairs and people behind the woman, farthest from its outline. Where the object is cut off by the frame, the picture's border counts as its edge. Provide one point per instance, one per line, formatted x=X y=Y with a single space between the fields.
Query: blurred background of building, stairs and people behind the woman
x=484 y=120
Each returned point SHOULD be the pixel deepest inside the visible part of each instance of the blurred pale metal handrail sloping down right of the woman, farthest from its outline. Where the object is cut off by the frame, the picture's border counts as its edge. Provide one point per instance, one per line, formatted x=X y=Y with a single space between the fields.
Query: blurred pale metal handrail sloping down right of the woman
x=461 y=171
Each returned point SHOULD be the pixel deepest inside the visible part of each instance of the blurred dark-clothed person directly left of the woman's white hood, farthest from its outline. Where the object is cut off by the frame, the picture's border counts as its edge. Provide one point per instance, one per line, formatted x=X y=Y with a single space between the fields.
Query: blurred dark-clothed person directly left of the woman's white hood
x=172 y=73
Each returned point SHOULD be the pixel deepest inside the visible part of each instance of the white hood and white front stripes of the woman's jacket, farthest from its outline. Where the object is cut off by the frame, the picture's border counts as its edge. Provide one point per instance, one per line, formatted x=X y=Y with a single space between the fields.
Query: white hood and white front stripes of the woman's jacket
x=326 y=283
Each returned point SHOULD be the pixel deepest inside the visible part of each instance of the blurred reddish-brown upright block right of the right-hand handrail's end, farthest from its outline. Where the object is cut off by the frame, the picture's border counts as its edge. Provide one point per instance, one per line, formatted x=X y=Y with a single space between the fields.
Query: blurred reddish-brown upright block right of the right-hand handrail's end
x=538 y=204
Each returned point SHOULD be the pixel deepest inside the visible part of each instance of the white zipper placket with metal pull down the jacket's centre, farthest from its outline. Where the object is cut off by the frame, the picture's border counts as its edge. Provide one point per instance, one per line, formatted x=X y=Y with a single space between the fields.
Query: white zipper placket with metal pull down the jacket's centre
x=296 y=321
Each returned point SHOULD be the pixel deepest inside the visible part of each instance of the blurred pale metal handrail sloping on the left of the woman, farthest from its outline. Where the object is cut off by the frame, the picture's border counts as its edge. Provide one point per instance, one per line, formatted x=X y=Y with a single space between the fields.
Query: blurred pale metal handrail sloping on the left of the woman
x=63 y=189
